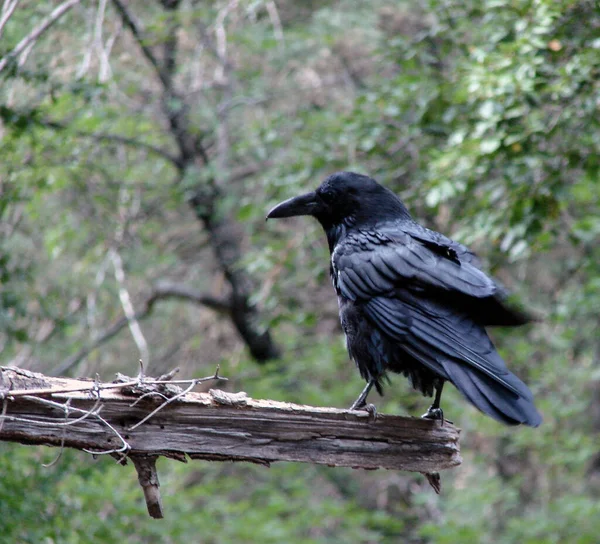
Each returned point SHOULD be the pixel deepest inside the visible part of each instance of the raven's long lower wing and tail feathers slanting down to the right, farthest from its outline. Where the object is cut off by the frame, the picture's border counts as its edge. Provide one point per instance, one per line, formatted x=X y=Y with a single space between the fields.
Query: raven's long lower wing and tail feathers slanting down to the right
x=456 y=348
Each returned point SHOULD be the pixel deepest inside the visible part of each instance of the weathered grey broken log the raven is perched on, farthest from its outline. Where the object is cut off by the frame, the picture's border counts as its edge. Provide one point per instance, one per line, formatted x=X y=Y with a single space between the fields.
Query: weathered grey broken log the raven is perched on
x=215 y=426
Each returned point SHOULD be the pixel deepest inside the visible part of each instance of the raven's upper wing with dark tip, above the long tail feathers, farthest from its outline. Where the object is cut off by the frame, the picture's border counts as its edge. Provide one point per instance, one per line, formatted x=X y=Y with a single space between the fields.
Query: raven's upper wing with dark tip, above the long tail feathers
x=366 y=264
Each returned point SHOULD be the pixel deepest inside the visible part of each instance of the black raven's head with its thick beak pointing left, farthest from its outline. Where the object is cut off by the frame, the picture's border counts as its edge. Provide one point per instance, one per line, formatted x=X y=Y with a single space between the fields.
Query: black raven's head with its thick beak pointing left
x=344 y=198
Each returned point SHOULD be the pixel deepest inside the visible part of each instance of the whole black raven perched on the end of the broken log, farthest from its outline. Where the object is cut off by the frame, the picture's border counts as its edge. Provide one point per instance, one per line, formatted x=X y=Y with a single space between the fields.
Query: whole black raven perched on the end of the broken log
x=412 y=301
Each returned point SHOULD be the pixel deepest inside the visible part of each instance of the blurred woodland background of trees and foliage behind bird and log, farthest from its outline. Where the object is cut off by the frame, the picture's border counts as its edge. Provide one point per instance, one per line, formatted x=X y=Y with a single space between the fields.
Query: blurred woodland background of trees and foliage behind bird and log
x=142 y=144
